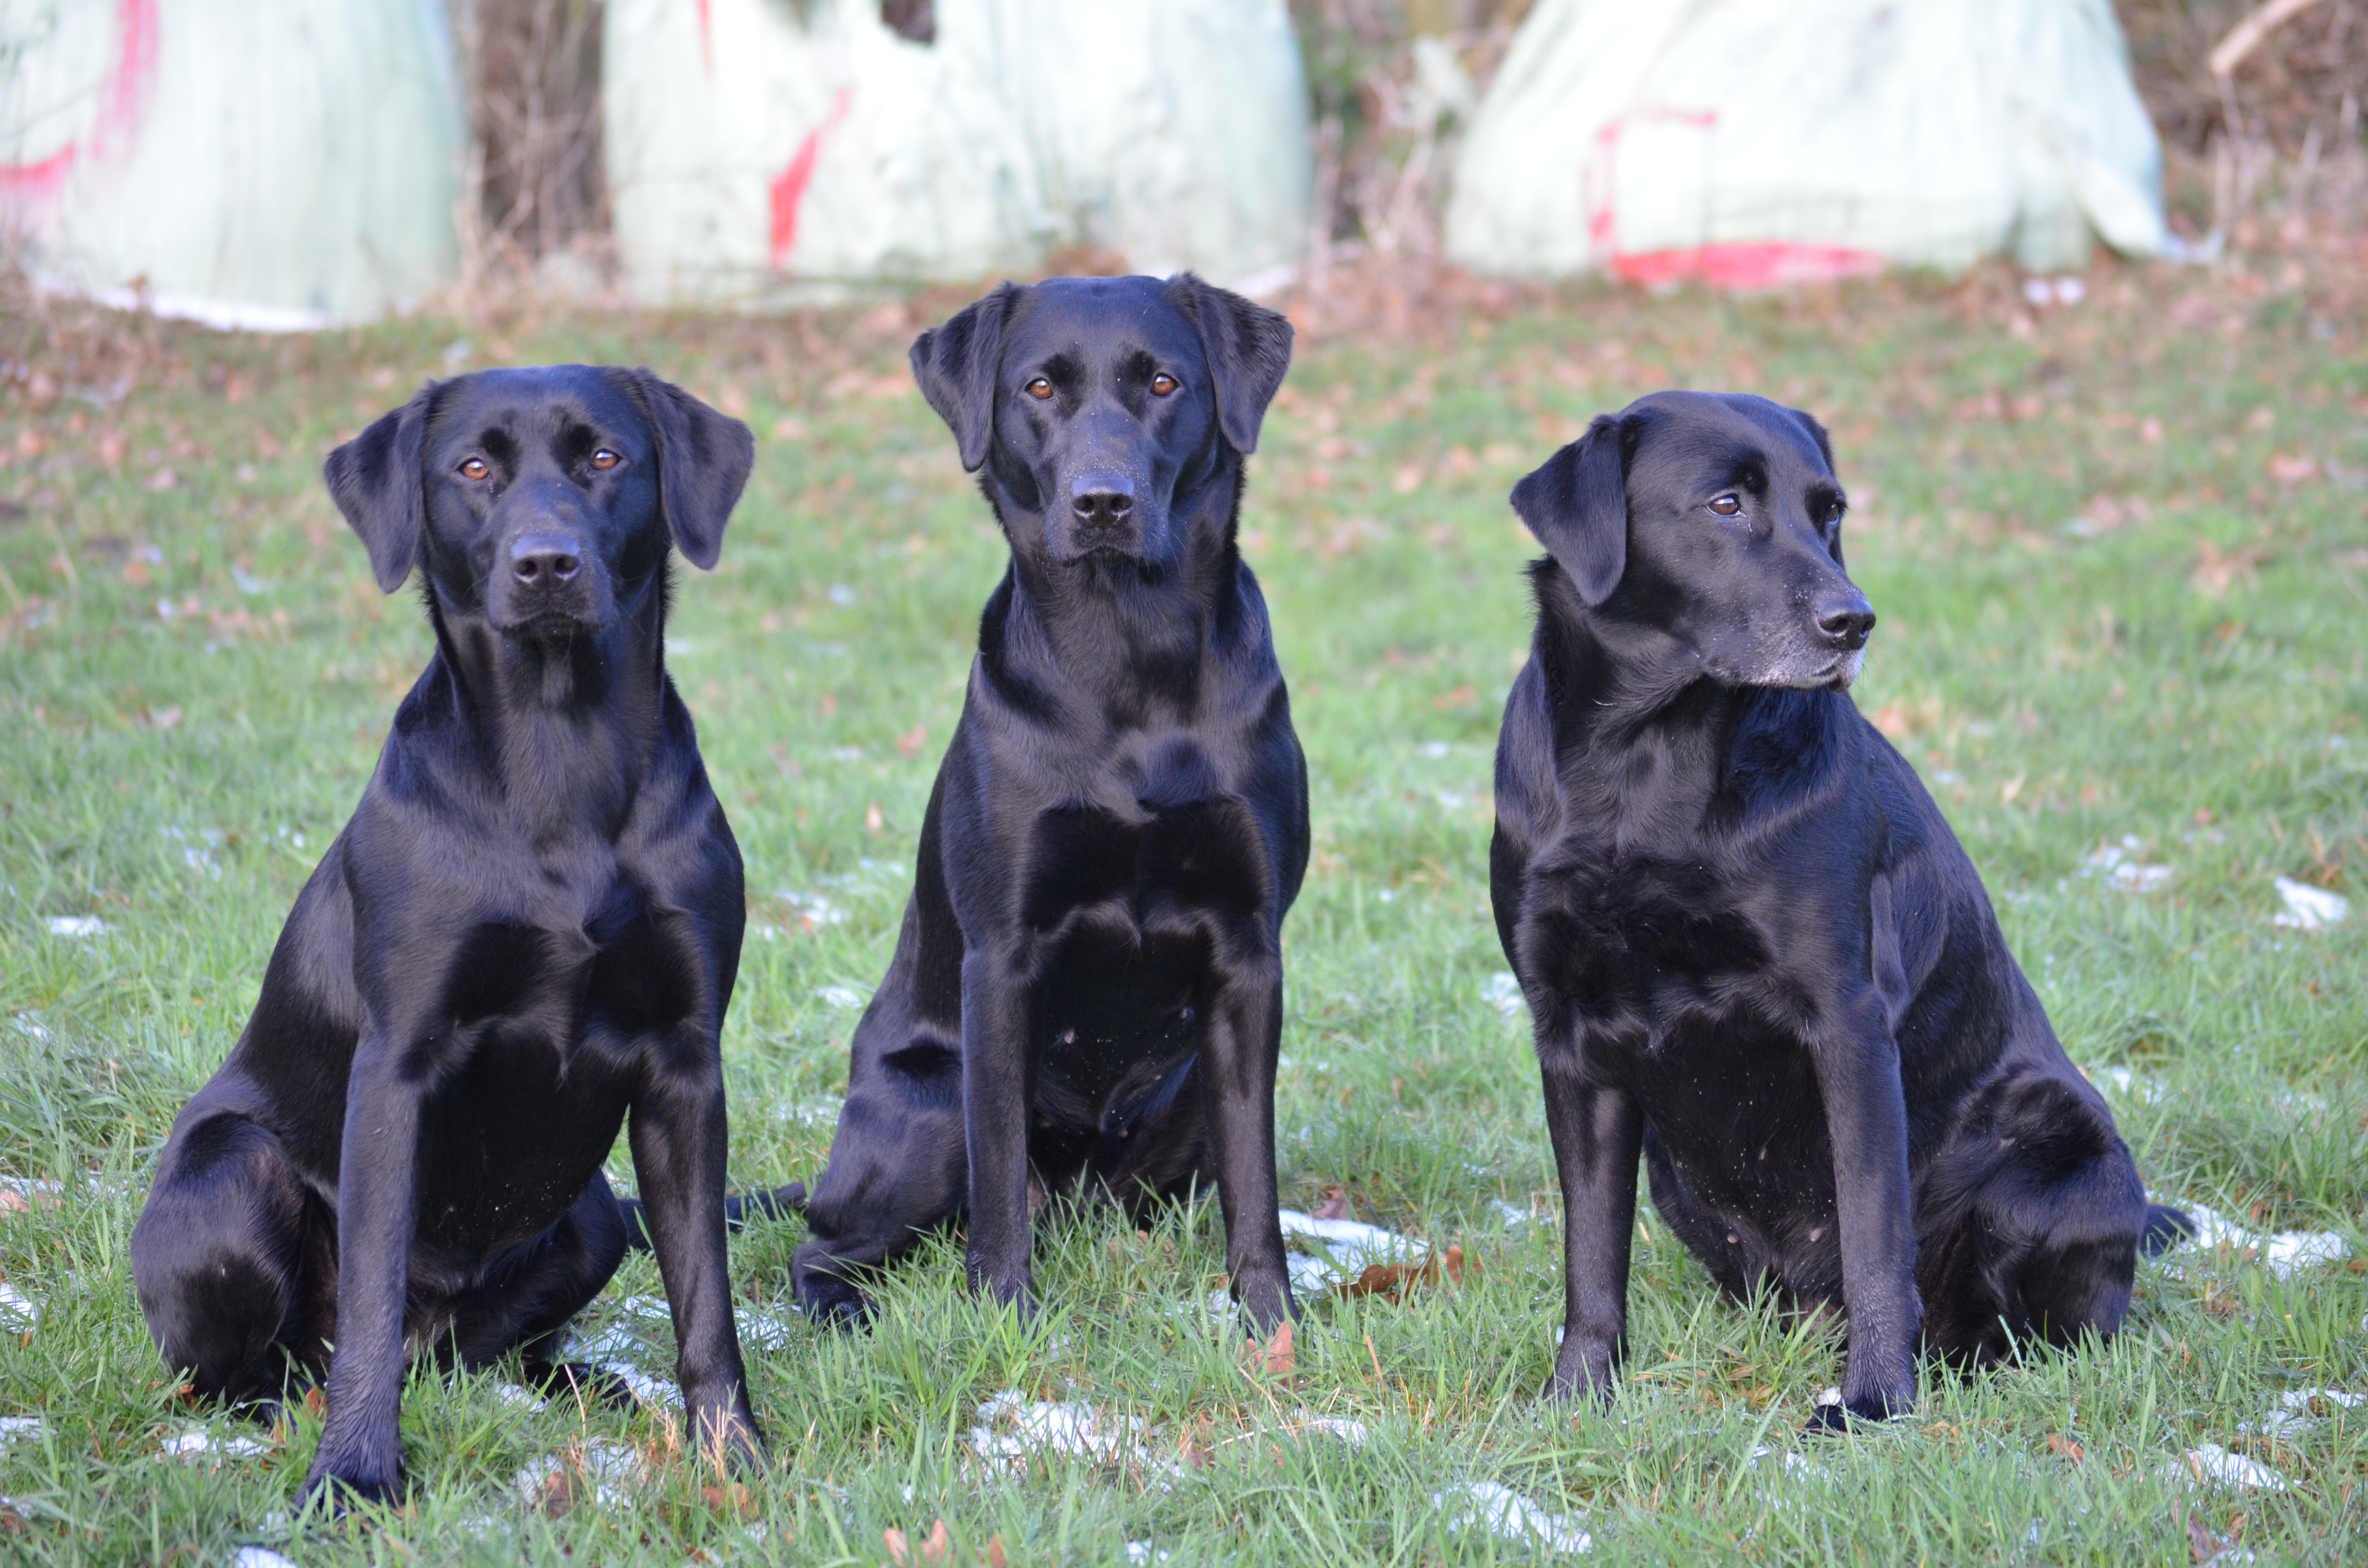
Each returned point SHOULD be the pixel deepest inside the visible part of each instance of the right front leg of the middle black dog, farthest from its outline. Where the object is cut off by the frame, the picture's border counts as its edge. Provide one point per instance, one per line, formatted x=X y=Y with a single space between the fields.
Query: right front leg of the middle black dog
x=1240 y=1048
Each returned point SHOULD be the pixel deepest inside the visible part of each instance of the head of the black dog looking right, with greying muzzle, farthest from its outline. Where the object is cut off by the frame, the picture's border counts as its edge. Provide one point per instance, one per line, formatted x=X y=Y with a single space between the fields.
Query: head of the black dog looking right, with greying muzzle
x=1716 y=520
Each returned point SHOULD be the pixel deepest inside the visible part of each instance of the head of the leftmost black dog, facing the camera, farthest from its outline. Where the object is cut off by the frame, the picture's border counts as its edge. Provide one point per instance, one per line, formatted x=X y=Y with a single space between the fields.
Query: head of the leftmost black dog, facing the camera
x=543 y=499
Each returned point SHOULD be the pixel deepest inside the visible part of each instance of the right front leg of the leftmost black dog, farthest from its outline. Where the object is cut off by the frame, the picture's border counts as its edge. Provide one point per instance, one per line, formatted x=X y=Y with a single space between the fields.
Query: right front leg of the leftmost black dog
x=678 y=1157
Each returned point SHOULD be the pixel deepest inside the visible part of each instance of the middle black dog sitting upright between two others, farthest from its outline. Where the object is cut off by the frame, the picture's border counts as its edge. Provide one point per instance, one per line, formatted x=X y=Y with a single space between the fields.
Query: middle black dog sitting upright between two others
x=1088 y=987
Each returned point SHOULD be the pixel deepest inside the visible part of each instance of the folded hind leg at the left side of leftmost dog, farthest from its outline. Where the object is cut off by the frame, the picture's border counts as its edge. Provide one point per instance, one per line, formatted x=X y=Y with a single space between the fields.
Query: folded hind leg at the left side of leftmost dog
x=219 y=1259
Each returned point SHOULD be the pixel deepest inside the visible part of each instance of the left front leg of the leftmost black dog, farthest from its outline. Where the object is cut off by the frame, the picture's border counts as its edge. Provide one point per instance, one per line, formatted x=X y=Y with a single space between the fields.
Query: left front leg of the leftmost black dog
x=361 y=1446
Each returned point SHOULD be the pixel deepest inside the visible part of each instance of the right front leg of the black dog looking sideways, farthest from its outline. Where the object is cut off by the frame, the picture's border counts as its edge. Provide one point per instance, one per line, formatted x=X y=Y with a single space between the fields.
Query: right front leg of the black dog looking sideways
x=1867 y=1124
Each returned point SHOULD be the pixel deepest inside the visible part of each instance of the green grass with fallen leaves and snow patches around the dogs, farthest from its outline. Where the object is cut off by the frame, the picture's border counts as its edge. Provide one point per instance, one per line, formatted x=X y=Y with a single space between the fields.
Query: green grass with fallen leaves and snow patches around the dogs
x=2192 y=679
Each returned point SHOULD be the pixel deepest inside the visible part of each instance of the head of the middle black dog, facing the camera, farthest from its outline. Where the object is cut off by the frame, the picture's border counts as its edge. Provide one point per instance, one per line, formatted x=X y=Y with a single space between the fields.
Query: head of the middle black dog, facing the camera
x=1102 y=406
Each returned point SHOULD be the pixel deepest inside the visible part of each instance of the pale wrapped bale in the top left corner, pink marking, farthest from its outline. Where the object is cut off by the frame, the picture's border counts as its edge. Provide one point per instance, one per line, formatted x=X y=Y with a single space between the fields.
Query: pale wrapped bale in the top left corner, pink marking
x=247 y=162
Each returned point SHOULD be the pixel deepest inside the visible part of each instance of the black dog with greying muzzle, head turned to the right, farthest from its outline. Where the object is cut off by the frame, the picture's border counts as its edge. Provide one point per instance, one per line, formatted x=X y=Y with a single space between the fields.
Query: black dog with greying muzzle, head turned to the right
x=1751 y=944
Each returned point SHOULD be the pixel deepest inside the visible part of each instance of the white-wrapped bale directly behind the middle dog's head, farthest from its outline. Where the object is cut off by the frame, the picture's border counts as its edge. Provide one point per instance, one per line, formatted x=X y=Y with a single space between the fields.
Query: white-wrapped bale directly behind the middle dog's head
x=766 y=141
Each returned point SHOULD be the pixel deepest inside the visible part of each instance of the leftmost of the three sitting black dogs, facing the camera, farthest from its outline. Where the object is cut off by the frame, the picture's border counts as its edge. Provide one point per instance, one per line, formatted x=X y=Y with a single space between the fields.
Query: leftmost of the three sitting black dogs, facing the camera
x=527 y=932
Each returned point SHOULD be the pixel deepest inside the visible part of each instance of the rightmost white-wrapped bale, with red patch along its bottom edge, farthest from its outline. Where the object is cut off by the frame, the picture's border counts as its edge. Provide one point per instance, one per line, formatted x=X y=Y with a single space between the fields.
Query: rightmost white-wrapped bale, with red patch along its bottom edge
x=1765 y=141
